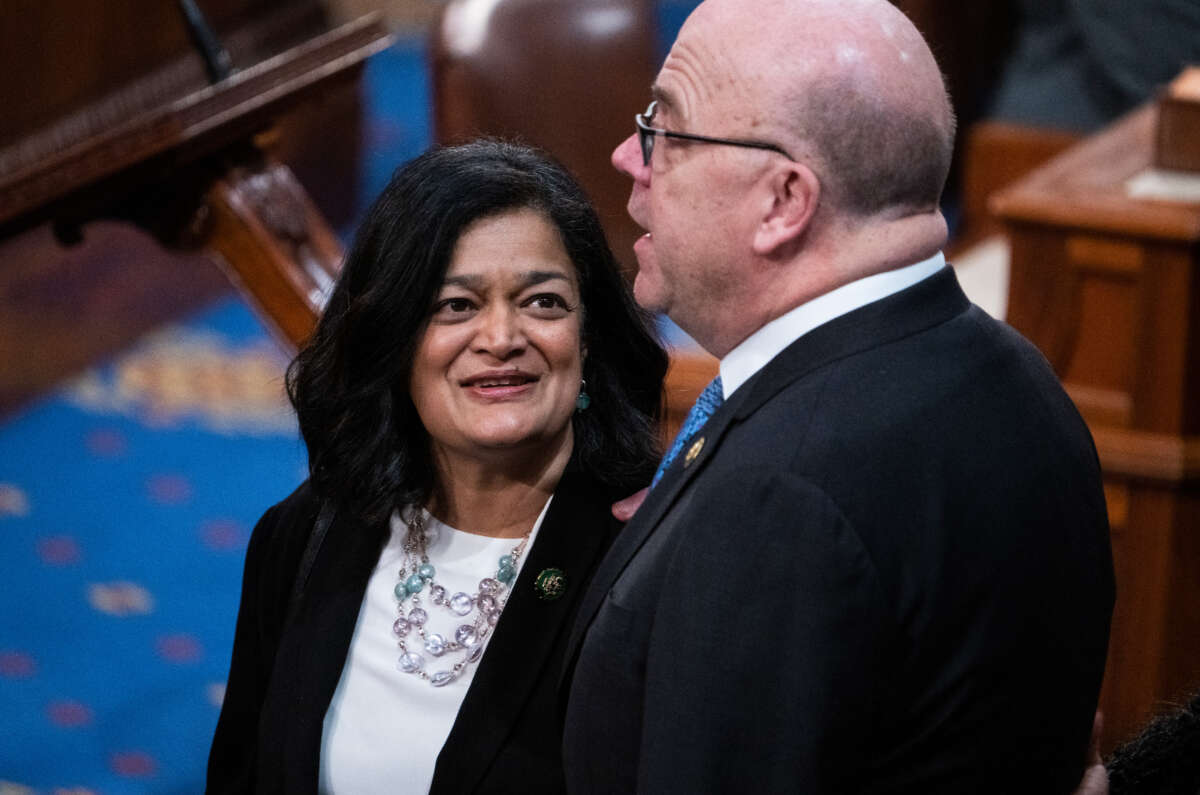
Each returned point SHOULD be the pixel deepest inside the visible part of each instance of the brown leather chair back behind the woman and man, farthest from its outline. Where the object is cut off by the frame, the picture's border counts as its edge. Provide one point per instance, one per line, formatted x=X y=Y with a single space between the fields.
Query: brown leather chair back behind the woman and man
x=567 y=77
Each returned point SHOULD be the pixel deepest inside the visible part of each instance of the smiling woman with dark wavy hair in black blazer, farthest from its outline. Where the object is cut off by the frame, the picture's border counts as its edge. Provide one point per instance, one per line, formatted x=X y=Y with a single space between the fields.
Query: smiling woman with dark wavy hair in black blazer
x=479 y=391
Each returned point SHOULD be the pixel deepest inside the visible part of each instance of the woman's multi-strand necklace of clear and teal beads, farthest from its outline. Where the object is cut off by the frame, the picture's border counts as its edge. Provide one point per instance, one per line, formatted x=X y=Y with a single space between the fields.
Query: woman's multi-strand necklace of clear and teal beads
x=469 y=638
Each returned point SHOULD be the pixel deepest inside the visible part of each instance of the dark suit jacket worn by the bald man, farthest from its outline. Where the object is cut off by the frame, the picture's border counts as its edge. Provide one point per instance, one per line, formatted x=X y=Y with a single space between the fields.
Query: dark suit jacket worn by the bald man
x=887 y=571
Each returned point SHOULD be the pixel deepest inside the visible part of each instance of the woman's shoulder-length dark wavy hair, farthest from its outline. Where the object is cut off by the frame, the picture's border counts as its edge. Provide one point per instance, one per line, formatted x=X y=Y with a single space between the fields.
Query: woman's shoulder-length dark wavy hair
x=368 y=449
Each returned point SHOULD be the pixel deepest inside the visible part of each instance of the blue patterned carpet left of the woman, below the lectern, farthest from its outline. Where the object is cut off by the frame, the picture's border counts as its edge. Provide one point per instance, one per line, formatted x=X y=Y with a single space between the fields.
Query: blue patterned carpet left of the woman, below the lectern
x=127 y=501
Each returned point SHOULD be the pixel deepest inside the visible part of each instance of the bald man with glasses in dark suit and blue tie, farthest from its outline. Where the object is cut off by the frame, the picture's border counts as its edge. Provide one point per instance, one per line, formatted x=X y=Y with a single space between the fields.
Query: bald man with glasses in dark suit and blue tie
x=883 y=565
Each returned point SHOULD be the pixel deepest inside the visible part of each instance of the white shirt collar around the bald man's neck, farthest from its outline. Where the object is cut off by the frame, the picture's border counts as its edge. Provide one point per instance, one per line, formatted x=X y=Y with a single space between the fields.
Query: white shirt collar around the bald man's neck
x=753 y=354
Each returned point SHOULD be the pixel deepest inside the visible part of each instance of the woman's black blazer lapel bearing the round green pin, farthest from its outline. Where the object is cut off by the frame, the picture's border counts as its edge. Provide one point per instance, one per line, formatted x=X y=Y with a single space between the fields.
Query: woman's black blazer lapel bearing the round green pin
x=573 y=539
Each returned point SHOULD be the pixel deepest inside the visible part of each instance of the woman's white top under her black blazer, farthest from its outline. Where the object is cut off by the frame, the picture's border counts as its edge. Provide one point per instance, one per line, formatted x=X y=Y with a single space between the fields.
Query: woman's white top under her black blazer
x=385 y=728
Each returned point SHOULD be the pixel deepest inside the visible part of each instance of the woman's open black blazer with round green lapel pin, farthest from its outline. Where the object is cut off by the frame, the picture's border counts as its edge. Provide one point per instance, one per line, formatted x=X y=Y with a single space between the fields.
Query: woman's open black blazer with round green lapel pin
x=283 y=678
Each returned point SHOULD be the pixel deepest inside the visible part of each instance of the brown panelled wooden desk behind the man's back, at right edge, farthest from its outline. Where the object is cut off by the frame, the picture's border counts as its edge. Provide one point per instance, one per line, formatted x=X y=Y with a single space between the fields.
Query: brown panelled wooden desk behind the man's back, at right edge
x=1109 y=289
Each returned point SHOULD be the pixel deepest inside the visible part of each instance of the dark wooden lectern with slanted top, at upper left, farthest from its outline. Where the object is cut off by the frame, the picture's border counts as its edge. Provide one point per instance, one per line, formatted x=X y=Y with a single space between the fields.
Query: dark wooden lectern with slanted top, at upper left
x=117 y=124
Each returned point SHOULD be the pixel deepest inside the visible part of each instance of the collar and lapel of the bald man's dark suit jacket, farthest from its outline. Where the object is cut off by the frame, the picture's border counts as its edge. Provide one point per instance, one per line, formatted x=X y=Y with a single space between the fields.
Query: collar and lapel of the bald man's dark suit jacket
x=926 y=304
